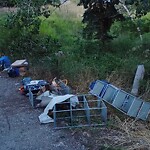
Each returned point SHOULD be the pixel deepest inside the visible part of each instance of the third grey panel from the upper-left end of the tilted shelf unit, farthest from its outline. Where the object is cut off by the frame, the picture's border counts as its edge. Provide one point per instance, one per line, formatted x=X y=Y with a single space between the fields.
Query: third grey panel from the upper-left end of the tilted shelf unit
x=119 y=99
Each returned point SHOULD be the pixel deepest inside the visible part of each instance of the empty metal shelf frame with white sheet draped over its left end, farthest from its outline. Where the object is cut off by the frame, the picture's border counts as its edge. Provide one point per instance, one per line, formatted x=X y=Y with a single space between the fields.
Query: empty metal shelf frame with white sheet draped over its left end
x=74 y=111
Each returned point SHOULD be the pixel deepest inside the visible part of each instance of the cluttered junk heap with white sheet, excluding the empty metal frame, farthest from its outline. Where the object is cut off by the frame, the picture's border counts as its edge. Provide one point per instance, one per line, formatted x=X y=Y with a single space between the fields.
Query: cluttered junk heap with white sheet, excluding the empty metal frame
x=42 y=93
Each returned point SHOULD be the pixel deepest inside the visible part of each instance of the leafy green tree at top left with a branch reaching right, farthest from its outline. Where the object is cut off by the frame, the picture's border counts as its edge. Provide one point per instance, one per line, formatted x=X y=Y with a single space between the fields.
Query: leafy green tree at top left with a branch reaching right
x=27 y=15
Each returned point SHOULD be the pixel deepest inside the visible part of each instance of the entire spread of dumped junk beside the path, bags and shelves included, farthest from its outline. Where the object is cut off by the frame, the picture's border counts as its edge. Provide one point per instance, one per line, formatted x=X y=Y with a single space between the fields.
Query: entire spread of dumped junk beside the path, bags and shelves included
x=57 y=98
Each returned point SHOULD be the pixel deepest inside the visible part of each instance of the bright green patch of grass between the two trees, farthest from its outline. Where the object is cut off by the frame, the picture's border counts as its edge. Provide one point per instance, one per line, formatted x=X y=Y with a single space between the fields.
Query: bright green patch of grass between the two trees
x=61 y=28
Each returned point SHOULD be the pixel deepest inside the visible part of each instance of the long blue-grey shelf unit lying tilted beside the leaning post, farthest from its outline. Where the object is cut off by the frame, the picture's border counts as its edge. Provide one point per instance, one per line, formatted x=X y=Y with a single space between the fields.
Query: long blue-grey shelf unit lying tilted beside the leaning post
x=121 y=100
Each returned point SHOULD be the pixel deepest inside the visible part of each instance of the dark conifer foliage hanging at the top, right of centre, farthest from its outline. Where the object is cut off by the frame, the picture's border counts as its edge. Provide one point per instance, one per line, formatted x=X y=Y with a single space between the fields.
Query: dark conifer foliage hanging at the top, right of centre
x=98 y=18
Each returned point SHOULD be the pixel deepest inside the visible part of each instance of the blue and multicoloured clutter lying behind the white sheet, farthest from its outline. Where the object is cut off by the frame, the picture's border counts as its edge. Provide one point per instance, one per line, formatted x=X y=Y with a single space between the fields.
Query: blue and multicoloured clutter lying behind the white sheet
x=38 y=87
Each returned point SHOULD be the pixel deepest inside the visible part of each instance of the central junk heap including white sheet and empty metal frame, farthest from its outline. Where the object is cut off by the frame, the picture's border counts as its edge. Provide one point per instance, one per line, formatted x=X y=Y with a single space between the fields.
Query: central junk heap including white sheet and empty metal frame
x=56 y=98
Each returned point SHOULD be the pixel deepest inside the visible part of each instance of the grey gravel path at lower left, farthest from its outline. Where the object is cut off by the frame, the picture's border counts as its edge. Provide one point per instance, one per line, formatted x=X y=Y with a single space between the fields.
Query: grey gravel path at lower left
x=19 y=125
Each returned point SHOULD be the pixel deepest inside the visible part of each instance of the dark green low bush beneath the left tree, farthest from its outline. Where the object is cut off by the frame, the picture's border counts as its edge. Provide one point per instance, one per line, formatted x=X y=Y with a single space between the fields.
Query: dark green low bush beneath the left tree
x=35 y=46
